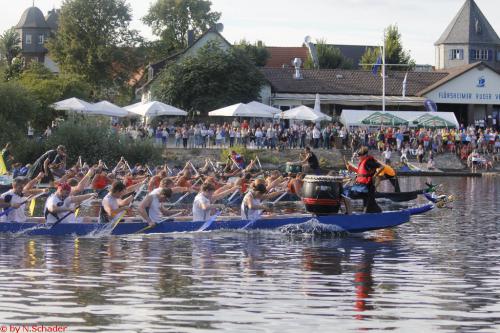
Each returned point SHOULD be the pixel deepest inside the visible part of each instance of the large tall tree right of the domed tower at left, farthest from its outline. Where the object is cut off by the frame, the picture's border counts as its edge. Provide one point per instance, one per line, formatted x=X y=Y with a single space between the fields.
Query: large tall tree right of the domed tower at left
x=90 y=40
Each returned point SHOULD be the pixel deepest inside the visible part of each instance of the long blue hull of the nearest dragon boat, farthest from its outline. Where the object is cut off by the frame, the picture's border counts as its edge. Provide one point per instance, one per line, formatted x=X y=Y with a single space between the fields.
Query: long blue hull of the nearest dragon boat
x=352 y=223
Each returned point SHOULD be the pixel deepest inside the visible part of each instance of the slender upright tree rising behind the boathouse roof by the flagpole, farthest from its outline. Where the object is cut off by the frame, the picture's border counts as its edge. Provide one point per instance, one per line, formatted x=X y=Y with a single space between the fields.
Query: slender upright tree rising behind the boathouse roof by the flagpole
x=394 y=52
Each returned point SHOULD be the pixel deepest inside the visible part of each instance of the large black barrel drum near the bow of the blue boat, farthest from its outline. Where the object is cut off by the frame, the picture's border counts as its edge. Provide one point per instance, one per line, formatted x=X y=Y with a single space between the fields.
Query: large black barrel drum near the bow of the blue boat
x=322 y=194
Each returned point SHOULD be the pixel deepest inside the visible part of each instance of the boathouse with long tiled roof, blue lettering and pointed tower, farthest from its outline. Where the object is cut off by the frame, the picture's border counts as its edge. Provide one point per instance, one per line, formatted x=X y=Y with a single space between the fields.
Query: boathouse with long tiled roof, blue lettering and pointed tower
x=466 y=79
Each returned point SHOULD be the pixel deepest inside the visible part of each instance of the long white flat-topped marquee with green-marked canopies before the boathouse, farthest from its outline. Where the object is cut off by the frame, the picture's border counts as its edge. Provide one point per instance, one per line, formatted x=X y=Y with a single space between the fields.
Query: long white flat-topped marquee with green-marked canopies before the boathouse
x=363 y=118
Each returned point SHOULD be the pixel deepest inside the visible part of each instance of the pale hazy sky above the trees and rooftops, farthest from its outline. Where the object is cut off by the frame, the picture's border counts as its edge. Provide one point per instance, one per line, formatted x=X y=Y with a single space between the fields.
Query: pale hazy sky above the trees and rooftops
x=287 y=22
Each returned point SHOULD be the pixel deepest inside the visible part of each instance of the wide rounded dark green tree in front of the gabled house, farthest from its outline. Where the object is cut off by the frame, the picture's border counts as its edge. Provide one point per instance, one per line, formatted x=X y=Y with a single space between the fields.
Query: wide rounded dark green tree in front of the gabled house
x=211 y=79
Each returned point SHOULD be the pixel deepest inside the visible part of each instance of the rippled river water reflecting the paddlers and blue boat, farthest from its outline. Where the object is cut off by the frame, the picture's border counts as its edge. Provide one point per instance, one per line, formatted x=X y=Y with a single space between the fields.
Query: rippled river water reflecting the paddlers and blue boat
x=439 y=273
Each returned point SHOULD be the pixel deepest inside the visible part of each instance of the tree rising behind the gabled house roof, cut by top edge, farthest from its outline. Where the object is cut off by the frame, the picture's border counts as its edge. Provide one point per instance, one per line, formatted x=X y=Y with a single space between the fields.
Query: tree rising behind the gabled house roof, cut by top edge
x=171 y=20
